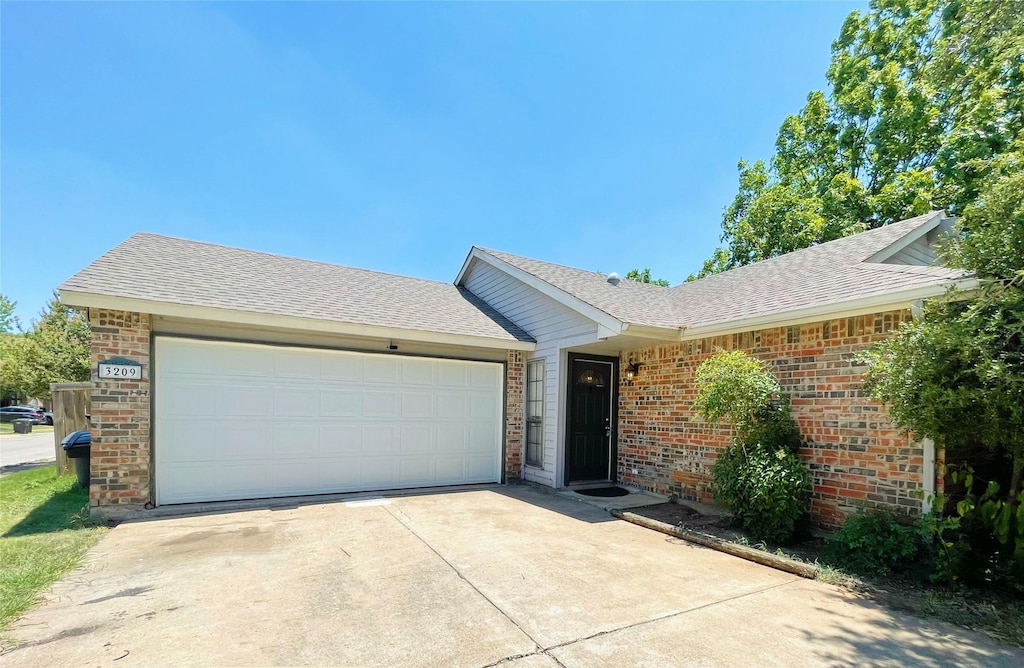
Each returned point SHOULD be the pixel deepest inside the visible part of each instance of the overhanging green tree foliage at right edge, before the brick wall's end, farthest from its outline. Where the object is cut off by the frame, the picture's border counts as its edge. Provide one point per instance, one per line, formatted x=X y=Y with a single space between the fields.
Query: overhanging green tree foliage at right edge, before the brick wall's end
x=957 y=374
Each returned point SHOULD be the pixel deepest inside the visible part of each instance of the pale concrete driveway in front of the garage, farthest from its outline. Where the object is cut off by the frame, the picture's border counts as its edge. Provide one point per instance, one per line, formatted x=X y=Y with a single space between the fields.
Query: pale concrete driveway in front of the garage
x=472 y=578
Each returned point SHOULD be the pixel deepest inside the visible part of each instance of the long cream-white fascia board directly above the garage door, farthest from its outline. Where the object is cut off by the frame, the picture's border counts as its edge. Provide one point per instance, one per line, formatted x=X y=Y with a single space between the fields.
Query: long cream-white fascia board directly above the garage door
x=92 y=301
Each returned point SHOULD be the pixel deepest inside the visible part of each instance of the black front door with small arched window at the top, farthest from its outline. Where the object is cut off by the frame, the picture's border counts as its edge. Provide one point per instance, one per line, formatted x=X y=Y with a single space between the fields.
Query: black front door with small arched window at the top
x=591 y=422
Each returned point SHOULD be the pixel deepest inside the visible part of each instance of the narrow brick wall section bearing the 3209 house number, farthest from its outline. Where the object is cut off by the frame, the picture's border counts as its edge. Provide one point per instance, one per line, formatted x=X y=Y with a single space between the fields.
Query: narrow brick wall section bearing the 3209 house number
x=120 y=413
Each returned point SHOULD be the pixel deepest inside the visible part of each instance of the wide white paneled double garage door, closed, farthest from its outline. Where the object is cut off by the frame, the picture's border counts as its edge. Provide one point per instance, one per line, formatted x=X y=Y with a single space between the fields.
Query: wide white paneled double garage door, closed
x=245 y=422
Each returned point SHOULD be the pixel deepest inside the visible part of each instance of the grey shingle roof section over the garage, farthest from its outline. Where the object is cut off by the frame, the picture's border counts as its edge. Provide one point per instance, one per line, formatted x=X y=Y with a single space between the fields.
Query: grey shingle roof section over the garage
x=176 y=271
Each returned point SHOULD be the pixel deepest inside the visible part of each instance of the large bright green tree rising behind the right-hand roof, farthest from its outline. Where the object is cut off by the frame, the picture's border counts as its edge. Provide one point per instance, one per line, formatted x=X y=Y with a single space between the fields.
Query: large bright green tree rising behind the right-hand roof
x=923 y=97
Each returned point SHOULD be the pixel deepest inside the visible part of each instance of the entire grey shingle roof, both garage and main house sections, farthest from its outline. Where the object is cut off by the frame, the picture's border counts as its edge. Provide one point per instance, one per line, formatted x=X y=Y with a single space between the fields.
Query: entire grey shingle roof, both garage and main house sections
x=176 y=271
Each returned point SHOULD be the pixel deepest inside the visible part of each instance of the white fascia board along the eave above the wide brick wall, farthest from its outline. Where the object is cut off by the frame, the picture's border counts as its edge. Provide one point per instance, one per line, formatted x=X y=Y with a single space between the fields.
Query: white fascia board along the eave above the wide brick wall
x=872 y=305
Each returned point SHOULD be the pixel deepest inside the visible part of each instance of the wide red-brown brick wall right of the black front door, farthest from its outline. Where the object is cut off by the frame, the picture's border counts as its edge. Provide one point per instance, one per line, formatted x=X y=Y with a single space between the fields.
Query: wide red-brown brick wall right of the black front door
x=857 y=457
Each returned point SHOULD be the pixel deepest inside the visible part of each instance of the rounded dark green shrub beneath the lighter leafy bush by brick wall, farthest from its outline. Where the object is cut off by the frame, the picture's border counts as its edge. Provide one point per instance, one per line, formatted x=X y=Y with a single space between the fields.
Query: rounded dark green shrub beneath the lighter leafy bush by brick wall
x=766 y=489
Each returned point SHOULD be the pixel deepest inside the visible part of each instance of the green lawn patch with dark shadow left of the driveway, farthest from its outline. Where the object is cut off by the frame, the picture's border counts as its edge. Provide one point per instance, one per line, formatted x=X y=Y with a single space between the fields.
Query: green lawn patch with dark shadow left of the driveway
x=45 y=531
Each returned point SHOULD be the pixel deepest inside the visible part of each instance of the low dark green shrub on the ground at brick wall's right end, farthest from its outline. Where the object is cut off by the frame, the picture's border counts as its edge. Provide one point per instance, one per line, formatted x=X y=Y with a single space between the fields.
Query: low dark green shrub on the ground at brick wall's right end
x=878 y=544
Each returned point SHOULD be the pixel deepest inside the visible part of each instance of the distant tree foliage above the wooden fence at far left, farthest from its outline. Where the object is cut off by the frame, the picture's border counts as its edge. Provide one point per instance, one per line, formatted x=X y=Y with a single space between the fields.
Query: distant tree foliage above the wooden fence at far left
x=56 y=350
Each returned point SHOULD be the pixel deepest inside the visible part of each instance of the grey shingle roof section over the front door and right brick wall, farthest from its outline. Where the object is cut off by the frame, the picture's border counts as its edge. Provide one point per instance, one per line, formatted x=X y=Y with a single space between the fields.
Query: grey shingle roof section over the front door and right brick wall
x=828 y=274
